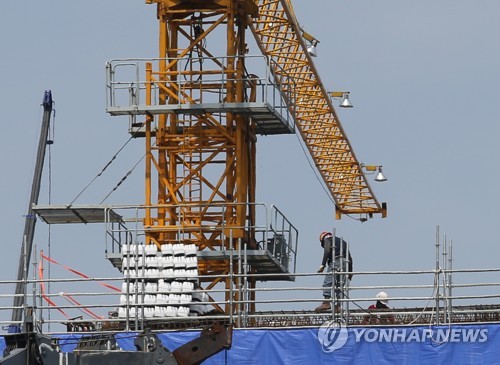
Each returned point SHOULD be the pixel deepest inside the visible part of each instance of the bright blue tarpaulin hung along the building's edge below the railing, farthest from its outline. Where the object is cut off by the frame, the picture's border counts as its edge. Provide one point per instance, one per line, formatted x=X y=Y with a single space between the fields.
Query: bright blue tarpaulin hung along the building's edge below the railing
x=457 y=344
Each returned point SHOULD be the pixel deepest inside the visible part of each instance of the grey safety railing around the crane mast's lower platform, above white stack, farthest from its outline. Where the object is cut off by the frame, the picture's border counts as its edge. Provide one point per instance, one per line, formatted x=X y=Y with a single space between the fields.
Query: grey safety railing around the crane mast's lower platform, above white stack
x=271 y=232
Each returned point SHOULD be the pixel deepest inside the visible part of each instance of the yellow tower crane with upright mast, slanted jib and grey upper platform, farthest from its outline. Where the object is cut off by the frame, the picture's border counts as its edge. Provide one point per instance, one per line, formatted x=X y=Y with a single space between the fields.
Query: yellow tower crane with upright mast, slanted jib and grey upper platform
x=203 y=109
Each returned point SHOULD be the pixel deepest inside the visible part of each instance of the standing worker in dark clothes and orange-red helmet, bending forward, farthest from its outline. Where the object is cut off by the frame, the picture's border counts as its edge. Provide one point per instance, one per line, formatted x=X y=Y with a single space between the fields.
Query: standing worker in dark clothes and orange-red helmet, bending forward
x=335 y=256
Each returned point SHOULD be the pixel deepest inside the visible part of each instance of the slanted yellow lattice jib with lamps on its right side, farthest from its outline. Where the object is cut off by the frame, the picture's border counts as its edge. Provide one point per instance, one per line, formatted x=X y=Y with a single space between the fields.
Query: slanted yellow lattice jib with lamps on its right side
x=279 y=36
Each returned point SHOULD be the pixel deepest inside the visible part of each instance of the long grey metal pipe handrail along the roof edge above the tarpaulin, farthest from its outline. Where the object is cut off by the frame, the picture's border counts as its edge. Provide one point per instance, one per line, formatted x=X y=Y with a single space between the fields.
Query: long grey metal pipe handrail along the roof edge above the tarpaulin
x=412 y=303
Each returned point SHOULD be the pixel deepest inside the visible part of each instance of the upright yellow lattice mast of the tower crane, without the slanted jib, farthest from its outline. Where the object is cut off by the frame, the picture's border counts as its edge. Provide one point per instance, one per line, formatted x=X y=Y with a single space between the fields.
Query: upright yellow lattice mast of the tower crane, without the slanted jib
x=200 y=161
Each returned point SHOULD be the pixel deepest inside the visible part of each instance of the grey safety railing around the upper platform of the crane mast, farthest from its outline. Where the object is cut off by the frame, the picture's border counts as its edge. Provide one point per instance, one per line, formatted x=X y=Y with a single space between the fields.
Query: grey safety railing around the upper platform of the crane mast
x=191 y=84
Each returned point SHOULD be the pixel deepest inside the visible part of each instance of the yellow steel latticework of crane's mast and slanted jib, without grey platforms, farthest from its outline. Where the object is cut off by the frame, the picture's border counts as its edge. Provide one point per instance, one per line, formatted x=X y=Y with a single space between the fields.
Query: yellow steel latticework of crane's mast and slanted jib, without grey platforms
x=195 y=162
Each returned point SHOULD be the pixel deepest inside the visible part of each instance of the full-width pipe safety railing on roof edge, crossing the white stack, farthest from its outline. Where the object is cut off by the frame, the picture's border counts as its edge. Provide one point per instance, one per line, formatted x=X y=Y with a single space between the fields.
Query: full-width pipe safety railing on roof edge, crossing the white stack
x=115 y=304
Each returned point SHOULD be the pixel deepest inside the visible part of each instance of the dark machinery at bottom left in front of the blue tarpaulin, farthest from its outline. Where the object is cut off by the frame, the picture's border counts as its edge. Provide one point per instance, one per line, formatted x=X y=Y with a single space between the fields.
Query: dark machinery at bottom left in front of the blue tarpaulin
x=33 y=348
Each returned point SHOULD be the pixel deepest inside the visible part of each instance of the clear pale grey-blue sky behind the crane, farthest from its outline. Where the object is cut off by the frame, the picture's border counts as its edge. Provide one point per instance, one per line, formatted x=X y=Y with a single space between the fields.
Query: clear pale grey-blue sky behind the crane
x=424 y=80
